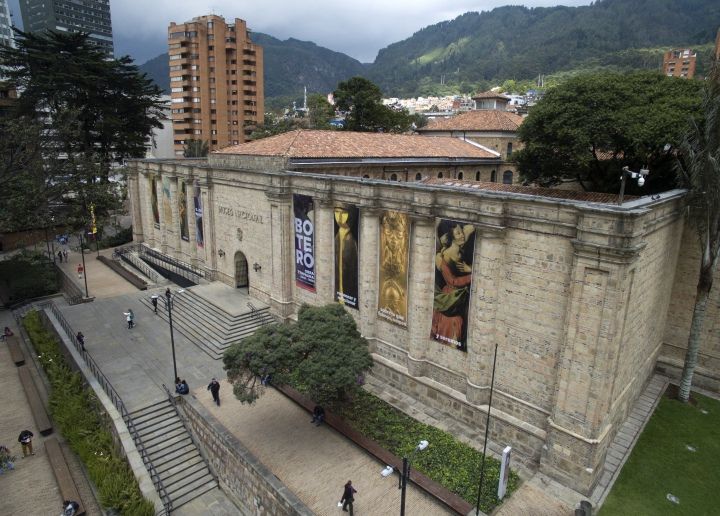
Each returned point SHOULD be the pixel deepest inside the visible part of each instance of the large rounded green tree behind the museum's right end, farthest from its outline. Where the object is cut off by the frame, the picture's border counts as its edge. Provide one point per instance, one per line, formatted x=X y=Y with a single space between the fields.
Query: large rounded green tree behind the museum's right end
x=592 y=125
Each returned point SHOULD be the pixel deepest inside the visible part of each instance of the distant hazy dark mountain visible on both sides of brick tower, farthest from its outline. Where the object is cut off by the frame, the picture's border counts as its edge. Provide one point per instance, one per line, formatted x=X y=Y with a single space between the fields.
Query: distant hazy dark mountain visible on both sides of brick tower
x=290 y=65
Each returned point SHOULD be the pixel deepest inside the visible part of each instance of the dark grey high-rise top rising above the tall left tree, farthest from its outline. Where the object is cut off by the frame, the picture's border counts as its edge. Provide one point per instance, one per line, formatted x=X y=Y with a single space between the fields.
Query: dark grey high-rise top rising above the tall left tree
x=91 y=16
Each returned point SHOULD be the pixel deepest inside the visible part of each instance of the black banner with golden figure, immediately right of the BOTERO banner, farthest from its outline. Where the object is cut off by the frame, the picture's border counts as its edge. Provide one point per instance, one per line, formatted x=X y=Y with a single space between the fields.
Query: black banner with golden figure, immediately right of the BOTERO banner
x=346 y=254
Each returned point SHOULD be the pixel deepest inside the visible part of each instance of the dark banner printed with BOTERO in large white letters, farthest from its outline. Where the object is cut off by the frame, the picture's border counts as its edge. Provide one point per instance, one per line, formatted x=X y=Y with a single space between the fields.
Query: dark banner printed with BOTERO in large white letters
x=304 y=227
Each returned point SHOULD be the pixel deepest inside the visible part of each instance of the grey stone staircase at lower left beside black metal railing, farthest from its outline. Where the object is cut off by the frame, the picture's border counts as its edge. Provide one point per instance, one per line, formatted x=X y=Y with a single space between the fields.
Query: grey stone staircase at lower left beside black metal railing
x=174 y=455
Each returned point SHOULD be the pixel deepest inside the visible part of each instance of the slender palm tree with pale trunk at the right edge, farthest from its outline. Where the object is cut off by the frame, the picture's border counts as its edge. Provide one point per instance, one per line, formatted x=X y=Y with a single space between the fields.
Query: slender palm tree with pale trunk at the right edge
x=699 y=172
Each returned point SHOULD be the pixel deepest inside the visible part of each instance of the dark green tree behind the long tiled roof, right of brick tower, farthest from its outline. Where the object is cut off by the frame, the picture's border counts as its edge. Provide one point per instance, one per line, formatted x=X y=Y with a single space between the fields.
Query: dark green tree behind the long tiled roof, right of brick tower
x=361 y=100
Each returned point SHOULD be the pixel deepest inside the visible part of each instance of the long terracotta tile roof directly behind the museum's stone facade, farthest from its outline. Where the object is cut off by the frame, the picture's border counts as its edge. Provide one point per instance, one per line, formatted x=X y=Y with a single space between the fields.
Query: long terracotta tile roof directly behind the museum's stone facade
x=312 y=144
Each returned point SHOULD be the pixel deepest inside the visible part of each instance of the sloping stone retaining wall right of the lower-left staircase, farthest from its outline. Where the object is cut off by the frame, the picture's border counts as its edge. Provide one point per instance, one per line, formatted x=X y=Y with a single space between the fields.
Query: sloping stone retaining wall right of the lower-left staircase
x=242 y=477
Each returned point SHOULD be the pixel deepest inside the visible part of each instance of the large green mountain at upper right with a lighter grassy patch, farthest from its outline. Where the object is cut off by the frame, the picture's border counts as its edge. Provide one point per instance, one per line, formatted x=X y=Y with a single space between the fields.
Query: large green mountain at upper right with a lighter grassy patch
x=516 y=42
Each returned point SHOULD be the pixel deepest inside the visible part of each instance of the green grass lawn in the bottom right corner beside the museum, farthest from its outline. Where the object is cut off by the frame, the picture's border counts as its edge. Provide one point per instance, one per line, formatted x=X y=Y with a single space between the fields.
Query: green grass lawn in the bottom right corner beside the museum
x=661 y=463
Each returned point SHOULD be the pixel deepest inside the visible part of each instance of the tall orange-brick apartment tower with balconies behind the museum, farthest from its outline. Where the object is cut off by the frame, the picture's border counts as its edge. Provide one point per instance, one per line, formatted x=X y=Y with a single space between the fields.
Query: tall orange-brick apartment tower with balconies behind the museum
x=216 y=82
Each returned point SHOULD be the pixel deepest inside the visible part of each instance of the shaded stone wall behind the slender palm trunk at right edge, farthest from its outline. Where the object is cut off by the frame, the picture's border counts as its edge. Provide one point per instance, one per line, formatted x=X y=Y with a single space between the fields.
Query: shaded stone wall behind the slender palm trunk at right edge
x=679 y=316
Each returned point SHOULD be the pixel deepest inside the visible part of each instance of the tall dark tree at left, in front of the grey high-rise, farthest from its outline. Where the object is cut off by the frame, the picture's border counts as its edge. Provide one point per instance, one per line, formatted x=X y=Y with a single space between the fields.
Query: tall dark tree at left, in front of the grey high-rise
x=95 y=112
